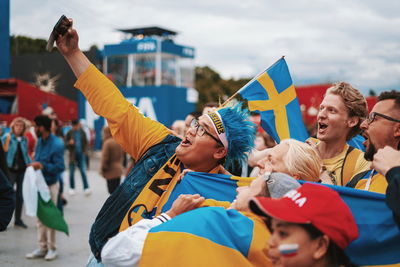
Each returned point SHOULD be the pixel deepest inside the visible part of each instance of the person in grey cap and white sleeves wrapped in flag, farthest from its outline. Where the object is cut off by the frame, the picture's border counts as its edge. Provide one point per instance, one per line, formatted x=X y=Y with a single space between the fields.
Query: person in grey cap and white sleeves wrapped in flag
x=131 y=247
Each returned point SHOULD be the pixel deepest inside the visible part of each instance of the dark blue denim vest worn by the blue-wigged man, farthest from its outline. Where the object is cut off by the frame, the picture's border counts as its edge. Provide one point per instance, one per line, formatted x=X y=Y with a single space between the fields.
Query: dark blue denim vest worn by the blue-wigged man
x=117 y=205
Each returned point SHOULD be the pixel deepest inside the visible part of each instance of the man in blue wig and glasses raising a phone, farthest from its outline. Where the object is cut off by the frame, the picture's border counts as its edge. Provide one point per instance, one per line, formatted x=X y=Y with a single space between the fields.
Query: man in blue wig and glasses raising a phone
x=225 y=135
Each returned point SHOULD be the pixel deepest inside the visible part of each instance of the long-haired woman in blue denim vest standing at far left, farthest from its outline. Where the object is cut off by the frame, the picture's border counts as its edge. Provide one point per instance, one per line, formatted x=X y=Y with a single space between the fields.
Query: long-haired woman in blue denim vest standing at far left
x=16 y=146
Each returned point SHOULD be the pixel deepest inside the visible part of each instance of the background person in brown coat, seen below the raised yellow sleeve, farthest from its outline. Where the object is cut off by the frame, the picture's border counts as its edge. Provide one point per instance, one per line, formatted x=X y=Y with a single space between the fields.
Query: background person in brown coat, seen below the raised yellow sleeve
x=111 y=161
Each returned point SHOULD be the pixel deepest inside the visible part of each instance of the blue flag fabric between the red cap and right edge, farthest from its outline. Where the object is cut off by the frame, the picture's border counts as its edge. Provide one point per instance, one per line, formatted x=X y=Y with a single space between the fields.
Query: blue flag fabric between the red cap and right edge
x=378 y=243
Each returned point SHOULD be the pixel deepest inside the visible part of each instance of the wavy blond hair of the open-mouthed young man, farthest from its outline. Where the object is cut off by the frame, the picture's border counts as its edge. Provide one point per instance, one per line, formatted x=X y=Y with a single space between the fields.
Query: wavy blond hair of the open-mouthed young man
x=354 y=101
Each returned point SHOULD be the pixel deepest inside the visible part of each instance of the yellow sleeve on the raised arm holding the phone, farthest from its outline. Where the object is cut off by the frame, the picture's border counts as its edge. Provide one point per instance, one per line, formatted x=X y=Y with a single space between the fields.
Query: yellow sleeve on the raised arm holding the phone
x=134 y=132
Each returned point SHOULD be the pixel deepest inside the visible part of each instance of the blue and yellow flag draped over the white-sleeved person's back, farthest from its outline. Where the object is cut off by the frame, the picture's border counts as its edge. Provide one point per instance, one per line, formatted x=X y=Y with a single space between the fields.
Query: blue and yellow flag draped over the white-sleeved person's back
x=209 y=236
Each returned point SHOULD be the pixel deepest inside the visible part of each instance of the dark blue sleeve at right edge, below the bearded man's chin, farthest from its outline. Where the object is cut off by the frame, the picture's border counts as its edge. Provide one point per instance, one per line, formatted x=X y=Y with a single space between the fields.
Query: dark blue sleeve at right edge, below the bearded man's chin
x=393 y=192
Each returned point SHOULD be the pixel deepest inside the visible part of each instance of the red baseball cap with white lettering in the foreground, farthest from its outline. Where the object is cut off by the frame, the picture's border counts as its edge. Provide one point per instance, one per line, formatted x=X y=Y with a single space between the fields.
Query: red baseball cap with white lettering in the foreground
x=315 y=204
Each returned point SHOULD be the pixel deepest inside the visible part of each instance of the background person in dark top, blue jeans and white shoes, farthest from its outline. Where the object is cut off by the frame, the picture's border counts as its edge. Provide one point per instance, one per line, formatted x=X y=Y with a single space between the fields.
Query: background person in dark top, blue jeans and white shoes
x=77 y=145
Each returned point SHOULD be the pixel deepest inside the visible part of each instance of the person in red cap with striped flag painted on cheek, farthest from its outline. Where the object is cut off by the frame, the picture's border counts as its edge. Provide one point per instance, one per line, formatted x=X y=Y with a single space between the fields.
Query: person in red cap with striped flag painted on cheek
x=310 y=226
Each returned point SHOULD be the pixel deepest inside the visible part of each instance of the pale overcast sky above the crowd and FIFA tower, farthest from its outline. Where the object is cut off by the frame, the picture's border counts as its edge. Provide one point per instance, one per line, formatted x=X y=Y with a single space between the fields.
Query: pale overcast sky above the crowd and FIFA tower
x=324 y=41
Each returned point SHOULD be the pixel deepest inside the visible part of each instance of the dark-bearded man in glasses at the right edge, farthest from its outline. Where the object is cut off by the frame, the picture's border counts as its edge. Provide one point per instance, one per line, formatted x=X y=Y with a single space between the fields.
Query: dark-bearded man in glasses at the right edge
x=381 y=129
